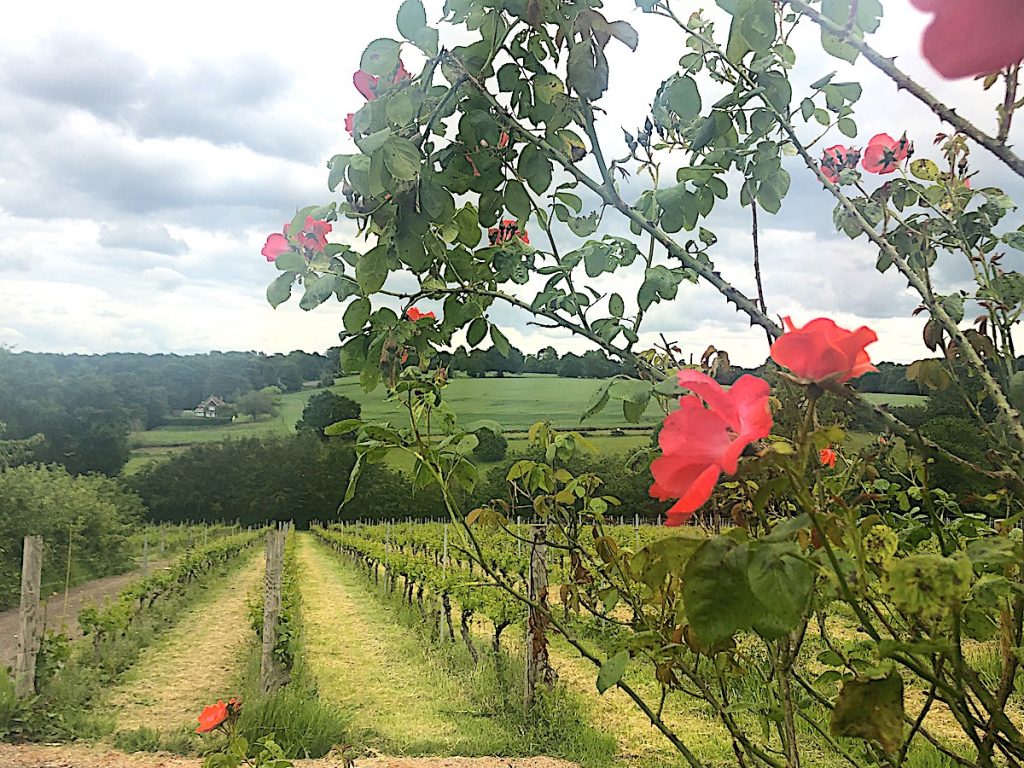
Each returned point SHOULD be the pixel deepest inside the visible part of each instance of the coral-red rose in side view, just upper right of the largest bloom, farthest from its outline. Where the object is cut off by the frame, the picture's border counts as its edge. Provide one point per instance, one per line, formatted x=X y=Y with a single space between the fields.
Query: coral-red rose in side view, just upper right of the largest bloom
x=823 y=352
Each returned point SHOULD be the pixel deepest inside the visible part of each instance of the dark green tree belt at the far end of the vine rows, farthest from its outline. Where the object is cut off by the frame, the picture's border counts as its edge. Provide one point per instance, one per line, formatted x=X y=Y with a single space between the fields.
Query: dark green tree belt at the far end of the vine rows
x=304 y=479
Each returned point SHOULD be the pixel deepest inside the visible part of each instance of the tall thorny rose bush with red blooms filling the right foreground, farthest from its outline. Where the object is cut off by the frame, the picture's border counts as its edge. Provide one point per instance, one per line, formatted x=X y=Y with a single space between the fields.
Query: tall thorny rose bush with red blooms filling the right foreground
x=836 y=616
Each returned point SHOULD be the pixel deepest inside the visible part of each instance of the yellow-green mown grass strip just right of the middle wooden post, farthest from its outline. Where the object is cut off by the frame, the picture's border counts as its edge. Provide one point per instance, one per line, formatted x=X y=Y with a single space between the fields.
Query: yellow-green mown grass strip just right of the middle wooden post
x=366 y=661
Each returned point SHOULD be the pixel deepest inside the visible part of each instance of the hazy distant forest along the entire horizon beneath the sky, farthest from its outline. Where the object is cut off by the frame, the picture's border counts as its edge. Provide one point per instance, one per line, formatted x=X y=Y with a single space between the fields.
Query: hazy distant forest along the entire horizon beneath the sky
x=86 y=406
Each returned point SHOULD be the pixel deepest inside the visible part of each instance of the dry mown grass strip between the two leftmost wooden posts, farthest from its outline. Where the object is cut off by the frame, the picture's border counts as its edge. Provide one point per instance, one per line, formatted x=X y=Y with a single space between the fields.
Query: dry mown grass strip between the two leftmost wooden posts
x=196 y=663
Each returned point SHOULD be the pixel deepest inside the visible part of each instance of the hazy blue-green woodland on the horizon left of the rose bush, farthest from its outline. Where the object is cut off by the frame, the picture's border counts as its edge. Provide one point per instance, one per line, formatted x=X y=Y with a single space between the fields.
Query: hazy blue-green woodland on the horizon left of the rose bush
x=84 y=406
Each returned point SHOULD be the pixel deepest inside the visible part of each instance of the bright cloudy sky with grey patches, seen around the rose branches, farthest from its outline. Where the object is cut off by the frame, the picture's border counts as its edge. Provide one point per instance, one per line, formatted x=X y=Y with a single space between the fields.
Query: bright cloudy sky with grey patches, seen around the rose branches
x=146 y=155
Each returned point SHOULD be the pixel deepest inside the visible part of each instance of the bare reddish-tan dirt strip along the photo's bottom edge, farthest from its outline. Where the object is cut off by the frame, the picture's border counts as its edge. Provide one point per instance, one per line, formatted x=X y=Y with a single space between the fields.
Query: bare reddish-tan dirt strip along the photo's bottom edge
x=86 y=757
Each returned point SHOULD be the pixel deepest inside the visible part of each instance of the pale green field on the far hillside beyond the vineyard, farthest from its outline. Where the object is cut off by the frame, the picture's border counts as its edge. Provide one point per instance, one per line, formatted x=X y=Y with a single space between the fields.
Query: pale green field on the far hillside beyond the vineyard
x=515 y=402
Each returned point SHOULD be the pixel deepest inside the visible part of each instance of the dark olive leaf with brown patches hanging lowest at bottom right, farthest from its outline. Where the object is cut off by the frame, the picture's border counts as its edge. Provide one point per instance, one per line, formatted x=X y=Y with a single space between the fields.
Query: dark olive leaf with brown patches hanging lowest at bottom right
x=871 y=710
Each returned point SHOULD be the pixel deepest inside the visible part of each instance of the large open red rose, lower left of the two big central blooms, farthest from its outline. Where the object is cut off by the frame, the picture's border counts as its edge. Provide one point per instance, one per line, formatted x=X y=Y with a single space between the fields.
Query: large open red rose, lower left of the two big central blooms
x=700 y=444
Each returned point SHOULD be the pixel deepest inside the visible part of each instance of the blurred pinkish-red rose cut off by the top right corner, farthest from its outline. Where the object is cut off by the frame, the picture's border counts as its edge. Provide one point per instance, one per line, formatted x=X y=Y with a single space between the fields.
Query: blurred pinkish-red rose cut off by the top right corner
x=973 y=38
